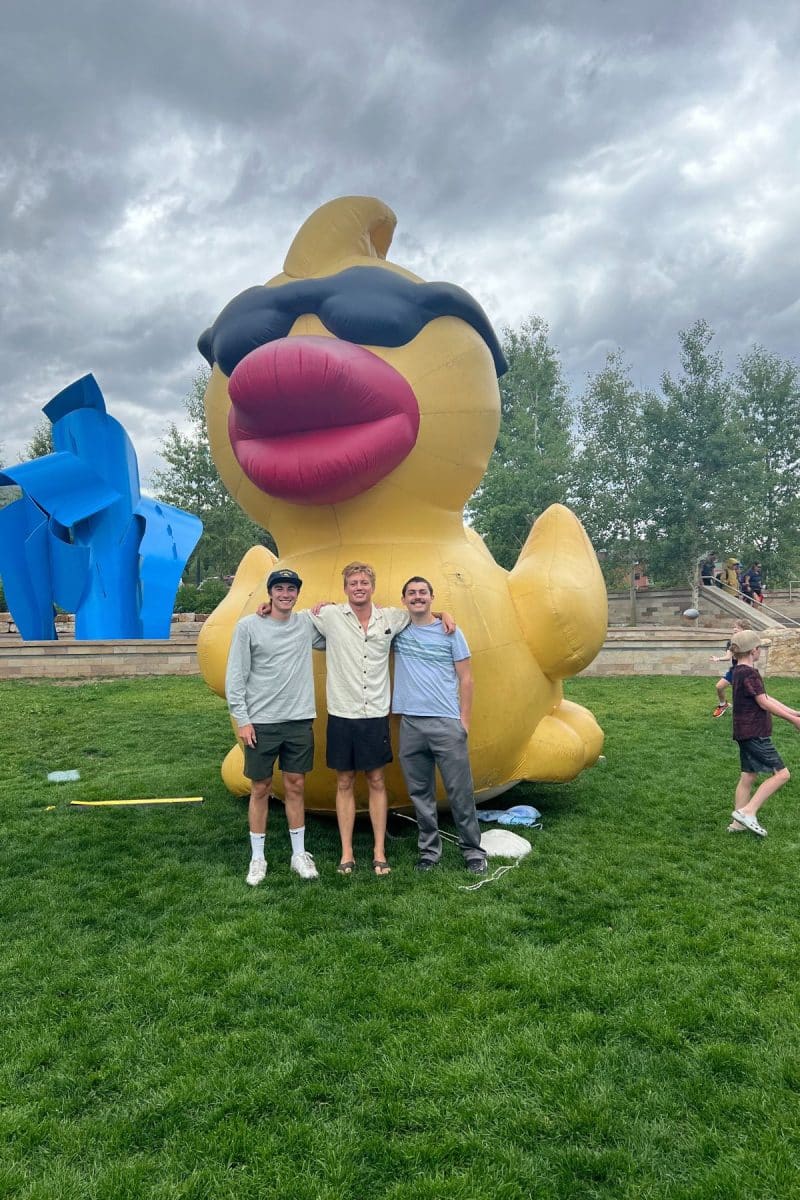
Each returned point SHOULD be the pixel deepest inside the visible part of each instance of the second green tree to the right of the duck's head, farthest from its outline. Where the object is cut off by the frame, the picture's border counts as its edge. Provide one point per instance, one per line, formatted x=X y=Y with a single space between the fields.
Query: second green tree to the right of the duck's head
x=610 y=466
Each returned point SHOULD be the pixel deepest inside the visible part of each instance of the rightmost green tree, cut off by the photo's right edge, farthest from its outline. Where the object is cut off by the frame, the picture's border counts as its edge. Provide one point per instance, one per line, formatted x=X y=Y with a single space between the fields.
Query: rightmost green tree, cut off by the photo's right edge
x=767 y=399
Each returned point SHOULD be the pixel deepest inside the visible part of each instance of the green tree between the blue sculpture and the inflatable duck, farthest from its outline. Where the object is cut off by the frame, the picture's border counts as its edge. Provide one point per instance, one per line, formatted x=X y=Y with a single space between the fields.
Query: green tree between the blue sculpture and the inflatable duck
x=191 y=482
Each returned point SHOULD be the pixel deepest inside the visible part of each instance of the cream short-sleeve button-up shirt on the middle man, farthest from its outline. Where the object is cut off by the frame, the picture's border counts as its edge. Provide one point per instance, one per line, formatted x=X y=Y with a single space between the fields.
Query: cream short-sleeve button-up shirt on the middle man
x=358 y=663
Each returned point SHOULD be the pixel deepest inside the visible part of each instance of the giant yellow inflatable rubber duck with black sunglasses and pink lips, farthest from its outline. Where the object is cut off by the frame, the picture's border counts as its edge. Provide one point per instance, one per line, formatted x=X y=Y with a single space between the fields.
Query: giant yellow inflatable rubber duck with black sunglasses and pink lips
x=352 y=412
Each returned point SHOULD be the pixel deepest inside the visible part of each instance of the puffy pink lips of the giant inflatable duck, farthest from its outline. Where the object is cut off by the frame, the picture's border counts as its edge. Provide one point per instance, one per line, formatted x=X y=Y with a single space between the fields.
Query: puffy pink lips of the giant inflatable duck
x=315 y=421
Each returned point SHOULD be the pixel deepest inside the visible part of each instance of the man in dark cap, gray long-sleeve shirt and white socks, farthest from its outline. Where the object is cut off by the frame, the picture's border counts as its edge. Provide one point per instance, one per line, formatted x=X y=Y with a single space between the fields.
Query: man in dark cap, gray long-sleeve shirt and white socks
x=270 y=692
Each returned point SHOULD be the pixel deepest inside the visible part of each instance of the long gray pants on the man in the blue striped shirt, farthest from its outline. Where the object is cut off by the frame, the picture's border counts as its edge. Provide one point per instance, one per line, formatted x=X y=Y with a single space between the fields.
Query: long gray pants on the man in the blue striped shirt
x=428 y=743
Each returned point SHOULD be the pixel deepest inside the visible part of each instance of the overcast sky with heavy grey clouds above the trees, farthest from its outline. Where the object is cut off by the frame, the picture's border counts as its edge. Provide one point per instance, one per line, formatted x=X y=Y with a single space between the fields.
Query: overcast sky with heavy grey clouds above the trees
x=617 y=169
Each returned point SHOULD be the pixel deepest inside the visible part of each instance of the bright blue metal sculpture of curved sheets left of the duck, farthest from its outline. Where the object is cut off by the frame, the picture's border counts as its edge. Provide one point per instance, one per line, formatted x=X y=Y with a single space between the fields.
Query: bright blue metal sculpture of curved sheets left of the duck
x=82 y=537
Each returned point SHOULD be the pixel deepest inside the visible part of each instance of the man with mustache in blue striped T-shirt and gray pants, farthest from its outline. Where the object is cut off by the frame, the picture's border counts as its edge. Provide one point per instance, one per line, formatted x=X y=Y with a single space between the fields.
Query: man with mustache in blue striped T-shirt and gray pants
x=434 y=692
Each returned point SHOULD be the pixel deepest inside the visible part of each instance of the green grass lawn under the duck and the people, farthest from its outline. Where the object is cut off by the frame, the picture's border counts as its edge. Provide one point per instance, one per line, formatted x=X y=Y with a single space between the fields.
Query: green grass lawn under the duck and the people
x=617 y=1018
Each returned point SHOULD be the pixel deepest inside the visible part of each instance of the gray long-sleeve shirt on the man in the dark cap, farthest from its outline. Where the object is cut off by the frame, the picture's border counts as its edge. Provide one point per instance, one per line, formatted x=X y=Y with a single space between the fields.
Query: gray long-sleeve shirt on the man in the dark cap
x=270 y=675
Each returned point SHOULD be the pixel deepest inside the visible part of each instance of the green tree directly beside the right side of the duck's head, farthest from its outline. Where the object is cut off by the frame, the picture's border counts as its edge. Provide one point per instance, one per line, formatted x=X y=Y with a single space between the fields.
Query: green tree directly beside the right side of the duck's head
x=531 y=465
